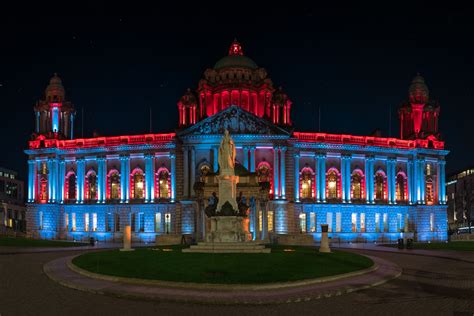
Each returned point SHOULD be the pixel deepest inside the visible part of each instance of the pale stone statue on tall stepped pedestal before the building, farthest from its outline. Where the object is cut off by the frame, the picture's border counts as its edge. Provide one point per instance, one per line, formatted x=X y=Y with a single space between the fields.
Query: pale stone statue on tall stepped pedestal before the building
x=229 y=231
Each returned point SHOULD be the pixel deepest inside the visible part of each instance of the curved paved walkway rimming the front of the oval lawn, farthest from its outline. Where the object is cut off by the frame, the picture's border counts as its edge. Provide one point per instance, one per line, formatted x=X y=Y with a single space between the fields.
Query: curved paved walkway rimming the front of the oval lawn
x=59 y=271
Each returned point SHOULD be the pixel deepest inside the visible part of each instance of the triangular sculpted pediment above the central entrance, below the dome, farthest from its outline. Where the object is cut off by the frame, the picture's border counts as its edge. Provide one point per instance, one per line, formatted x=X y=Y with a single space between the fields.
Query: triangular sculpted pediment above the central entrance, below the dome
x=237 y=121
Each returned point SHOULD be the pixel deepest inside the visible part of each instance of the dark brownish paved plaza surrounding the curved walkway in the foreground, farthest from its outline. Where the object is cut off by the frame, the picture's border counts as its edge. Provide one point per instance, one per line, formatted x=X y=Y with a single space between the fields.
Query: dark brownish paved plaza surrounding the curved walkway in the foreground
x=426 y=287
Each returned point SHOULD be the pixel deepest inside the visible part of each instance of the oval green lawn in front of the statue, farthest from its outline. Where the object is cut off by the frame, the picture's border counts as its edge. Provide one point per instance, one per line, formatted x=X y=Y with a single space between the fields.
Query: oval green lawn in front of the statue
x=174 y=265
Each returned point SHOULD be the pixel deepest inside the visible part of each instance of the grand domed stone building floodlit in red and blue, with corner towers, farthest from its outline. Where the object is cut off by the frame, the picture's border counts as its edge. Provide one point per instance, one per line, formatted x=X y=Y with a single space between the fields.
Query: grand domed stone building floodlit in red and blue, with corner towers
x=366 y=188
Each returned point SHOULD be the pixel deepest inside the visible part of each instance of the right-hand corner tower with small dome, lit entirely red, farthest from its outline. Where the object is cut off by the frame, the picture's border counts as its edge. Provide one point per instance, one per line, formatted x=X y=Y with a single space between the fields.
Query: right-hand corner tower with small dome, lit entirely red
x=419 y=114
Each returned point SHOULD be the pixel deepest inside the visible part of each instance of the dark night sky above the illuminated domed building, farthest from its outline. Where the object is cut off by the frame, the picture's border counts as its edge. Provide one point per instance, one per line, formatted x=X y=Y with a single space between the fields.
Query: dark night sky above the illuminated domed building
x=356 y=63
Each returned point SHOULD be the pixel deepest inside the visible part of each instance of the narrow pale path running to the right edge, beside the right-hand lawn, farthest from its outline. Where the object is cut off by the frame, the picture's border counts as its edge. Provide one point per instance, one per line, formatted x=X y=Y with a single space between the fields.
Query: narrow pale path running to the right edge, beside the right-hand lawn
x=466 y=256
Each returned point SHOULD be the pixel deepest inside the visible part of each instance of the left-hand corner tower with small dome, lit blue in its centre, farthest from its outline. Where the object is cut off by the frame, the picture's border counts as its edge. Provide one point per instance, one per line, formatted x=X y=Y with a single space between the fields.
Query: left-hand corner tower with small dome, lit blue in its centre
x=54 y=115
